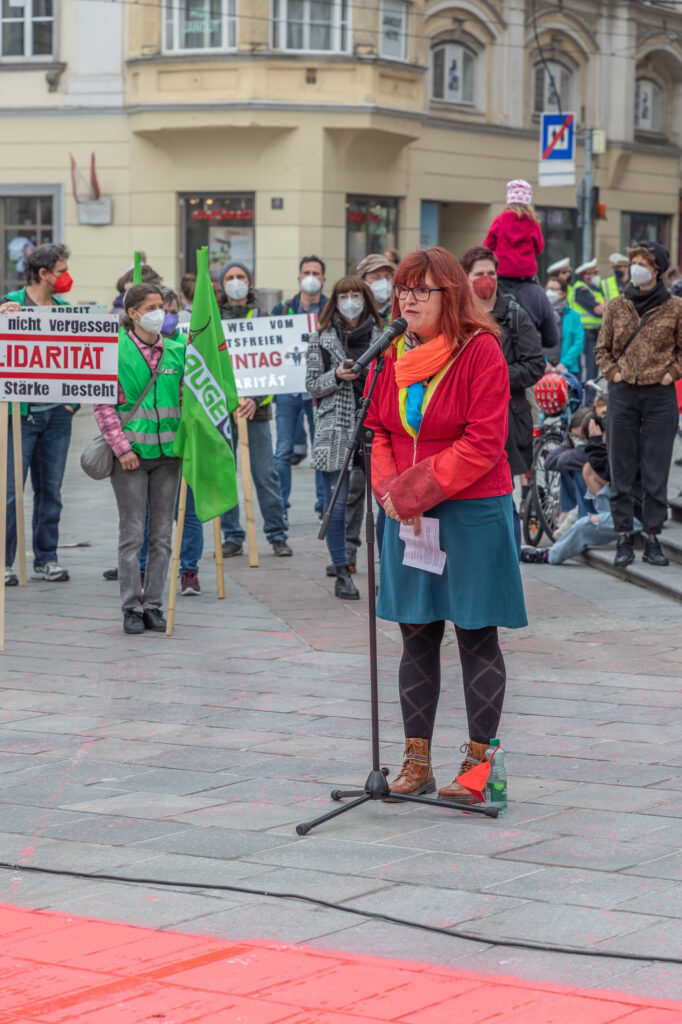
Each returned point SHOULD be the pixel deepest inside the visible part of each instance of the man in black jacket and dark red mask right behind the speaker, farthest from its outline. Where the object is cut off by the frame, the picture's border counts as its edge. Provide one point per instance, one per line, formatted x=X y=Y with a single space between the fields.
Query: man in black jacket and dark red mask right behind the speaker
x=523 y=351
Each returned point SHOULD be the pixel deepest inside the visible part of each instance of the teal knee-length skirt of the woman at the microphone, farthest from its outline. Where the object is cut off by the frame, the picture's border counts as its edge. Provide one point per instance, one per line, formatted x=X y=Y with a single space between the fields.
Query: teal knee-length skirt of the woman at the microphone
x=481 y=584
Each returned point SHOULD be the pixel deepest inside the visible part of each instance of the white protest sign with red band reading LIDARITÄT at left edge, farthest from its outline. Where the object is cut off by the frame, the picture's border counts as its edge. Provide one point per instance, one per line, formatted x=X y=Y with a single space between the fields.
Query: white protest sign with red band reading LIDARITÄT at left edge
x=59 y=356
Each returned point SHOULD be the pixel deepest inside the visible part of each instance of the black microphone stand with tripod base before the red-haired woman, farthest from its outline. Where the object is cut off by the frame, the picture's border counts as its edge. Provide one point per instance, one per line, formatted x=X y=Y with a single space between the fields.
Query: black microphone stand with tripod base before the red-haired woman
x=376 y=787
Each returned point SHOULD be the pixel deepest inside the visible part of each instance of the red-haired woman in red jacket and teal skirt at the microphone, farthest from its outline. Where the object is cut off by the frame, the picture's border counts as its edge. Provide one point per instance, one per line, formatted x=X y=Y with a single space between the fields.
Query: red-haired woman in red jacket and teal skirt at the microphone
x=440 y=412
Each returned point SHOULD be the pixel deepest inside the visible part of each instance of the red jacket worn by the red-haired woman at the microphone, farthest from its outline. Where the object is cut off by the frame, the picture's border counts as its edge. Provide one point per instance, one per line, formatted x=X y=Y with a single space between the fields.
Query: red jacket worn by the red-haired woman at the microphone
x=460 y=450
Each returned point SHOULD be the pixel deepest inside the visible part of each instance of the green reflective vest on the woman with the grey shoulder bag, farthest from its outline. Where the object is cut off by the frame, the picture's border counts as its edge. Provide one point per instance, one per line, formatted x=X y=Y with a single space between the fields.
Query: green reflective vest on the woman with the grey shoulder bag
x=153 y=430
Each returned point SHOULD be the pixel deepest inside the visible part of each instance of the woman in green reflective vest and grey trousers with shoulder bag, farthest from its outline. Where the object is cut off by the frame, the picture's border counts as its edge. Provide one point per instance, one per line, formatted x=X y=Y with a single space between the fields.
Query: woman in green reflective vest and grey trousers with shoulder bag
x=146 y=472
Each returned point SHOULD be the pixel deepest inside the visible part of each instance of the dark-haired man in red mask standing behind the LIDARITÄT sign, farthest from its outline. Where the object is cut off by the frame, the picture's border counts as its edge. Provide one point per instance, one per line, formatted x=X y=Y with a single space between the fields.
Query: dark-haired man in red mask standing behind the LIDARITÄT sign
x=46 y=429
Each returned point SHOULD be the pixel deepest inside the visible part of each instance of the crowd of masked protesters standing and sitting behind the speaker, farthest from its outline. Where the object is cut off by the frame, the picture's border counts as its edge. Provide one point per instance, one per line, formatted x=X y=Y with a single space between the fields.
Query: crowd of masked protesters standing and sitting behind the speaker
x=615 y=462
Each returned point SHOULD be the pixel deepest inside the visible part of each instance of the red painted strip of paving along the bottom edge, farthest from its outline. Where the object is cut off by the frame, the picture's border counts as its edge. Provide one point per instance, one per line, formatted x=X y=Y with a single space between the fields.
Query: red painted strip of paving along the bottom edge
x=58 y=969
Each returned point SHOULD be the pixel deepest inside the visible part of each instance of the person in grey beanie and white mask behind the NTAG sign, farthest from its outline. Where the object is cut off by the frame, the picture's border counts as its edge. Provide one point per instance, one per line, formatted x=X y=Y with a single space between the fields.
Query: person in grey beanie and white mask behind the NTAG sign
x=241 y=304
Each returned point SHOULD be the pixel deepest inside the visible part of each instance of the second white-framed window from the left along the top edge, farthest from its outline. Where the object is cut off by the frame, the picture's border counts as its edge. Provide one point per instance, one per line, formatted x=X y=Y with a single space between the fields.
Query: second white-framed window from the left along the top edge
x=199 y=25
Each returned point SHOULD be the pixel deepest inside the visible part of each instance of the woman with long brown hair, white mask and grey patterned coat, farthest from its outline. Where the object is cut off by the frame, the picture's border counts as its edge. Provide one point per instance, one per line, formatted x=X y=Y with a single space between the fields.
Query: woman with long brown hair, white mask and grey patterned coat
x=349 y=325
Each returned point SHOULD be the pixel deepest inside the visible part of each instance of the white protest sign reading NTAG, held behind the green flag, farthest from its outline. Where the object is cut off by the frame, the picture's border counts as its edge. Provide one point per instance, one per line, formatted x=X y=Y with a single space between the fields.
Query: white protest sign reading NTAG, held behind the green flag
x=269 y=353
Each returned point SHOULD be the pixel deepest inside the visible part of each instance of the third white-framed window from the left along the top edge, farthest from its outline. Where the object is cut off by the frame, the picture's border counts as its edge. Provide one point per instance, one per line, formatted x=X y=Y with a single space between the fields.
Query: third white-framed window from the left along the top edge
x=311 y=25
